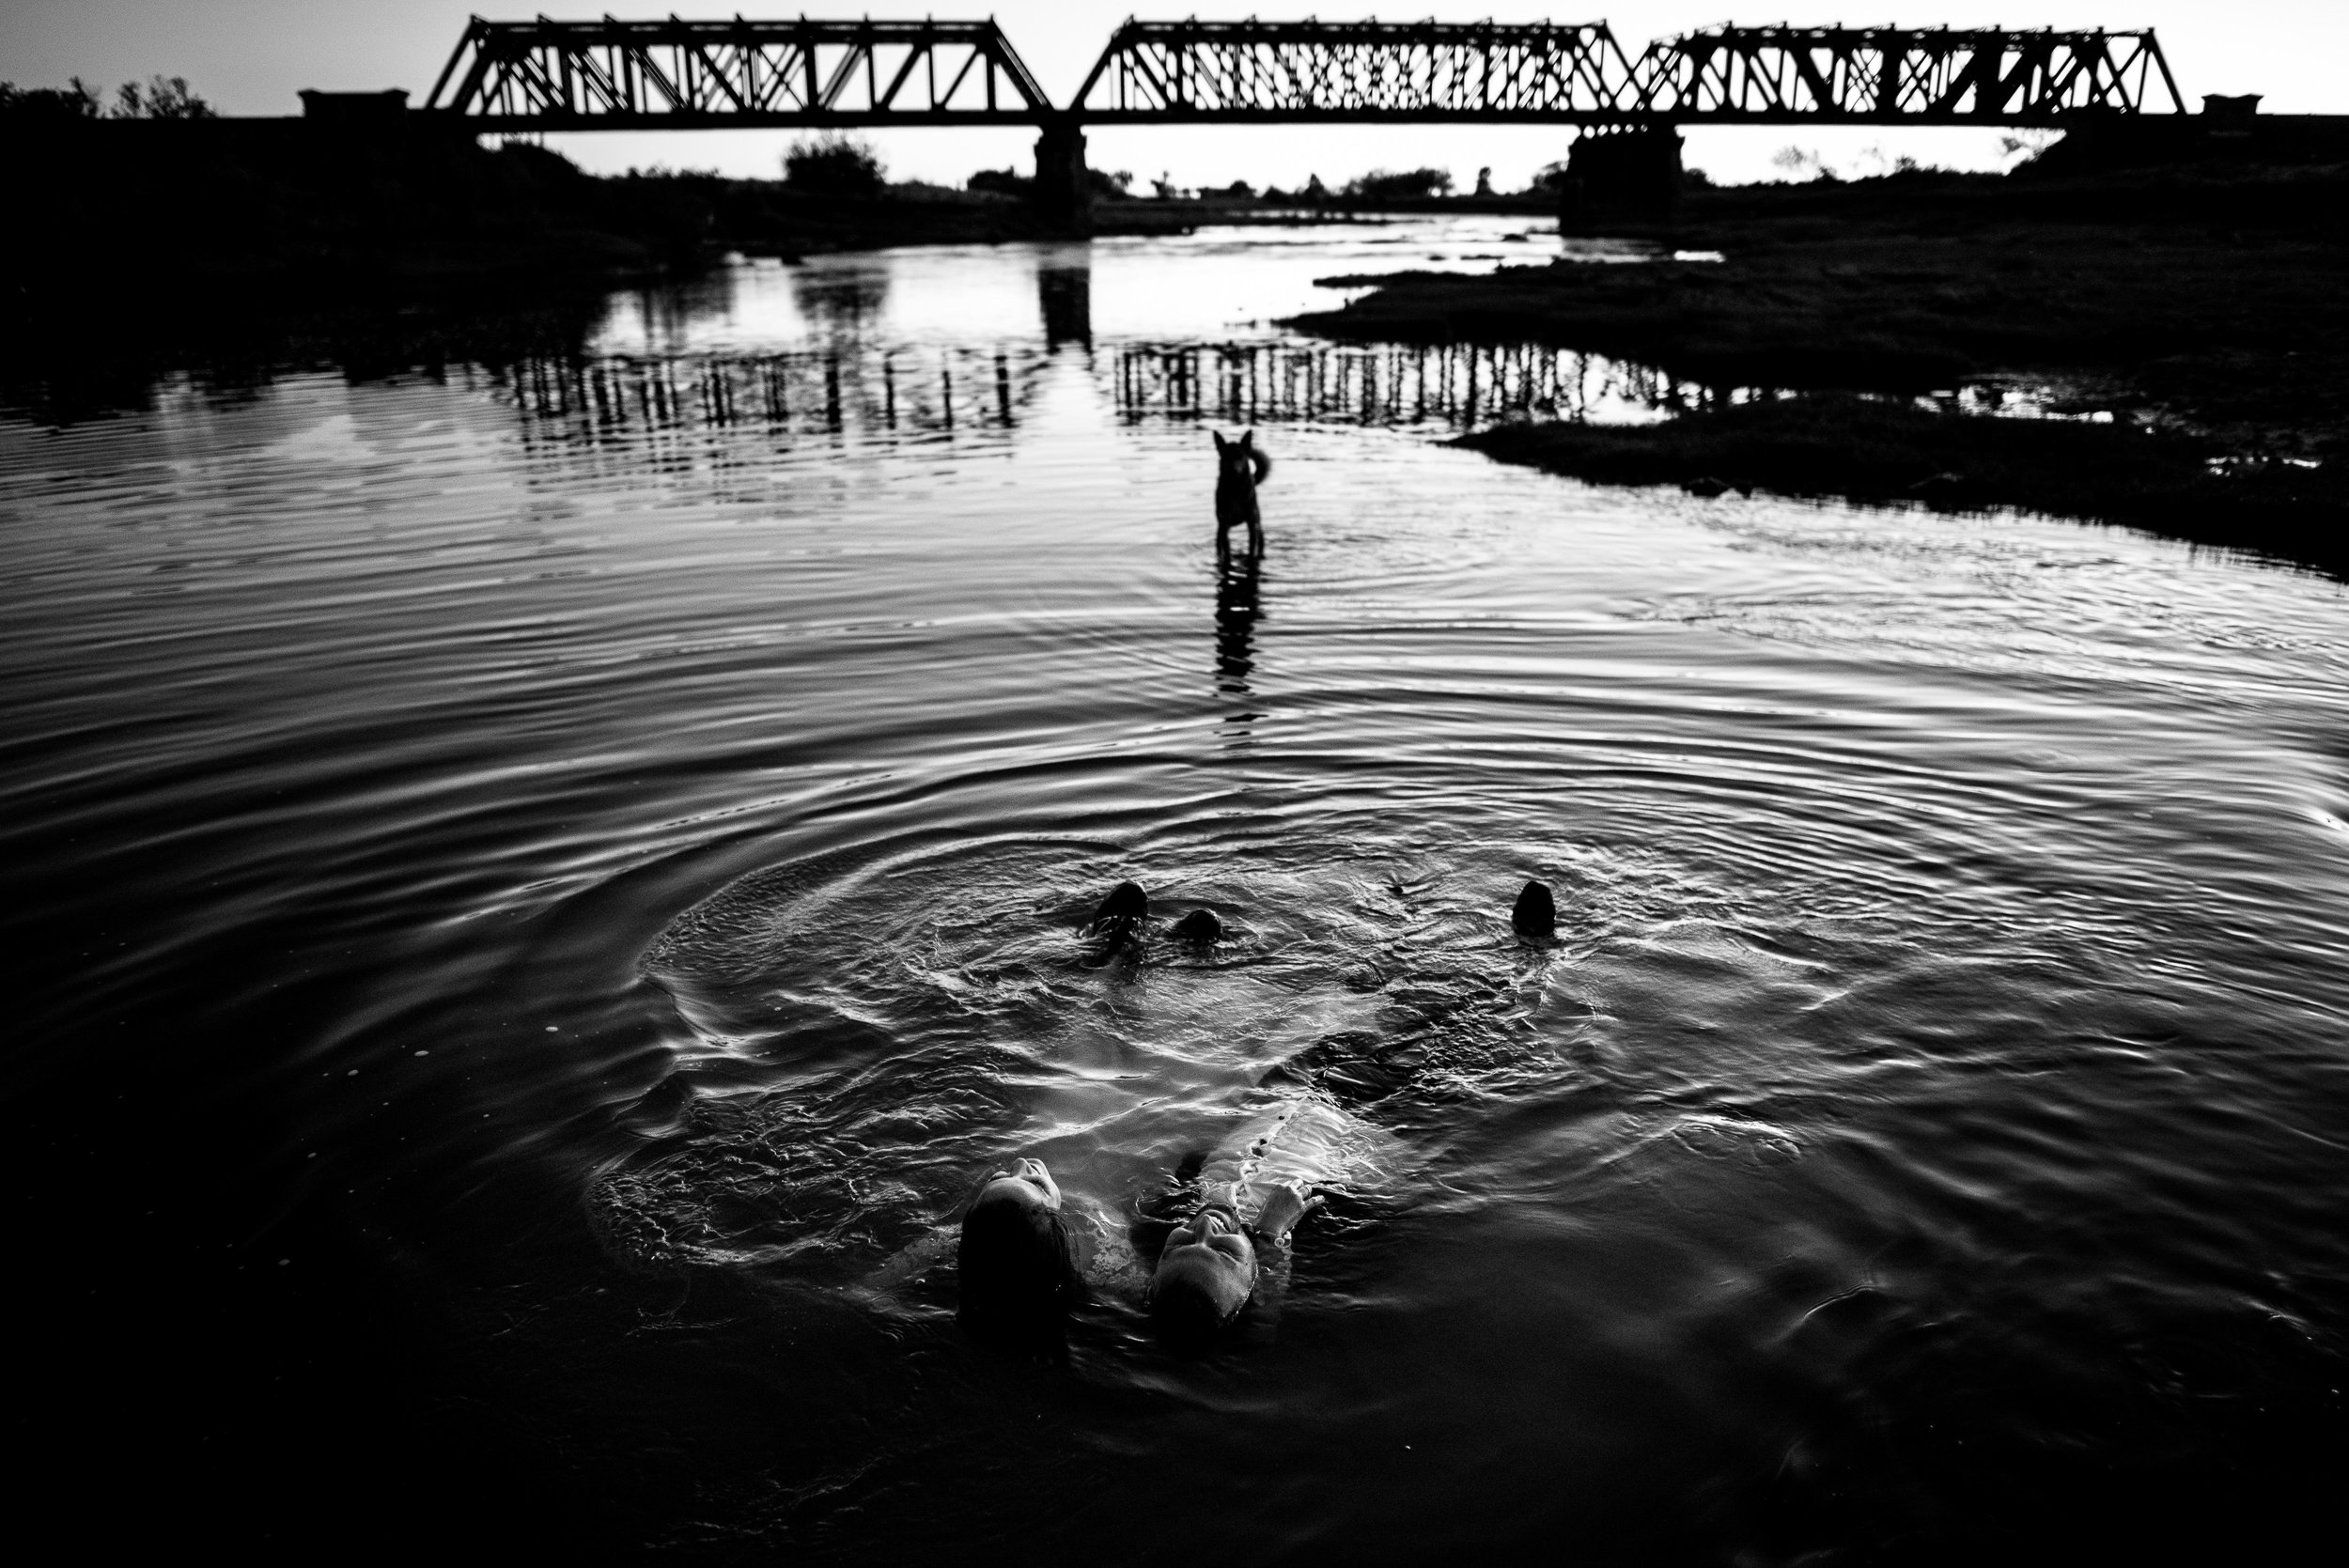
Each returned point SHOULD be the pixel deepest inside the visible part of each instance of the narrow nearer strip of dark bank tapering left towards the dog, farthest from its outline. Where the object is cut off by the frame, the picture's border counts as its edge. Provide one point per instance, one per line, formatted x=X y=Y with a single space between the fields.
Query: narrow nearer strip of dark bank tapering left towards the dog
x=1887 y=452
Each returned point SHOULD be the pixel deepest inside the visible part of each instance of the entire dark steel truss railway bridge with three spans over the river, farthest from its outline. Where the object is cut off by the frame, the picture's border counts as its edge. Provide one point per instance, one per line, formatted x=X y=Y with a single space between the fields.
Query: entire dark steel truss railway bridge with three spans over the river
x=741 y=74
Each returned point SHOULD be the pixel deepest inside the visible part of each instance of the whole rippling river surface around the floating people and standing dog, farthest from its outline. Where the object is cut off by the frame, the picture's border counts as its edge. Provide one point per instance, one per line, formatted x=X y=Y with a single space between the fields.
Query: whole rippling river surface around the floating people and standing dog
x=541 y=881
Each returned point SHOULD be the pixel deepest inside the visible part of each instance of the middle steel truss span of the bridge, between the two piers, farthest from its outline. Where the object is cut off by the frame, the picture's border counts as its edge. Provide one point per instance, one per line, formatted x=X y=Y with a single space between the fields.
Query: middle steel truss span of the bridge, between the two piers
x=1209 y=72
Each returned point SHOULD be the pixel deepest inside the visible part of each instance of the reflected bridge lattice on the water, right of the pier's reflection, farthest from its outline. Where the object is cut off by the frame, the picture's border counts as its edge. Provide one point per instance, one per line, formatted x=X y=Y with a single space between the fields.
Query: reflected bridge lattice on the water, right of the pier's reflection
x=1455 y=384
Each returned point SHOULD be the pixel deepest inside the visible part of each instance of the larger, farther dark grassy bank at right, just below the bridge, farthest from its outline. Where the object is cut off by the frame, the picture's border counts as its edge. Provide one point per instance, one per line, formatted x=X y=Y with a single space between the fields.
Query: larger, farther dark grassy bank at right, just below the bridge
x=2212 y=304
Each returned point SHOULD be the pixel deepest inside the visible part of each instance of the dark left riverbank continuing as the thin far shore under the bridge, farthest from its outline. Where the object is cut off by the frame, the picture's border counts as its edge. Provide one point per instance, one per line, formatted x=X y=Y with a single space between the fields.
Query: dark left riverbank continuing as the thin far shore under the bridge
x=337 y=212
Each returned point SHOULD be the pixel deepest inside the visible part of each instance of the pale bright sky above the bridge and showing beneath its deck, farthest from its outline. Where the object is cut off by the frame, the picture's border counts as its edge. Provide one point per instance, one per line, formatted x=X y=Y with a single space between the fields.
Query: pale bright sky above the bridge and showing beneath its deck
x=250 y=58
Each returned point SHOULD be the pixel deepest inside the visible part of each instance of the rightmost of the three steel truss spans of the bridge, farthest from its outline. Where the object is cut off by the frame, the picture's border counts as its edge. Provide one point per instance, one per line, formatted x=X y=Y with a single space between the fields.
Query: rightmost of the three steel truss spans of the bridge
x=1899 y=76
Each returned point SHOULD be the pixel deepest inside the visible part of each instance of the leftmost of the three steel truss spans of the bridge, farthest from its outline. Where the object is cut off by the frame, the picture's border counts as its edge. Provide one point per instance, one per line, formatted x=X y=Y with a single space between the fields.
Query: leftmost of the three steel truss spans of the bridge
x=736 y=74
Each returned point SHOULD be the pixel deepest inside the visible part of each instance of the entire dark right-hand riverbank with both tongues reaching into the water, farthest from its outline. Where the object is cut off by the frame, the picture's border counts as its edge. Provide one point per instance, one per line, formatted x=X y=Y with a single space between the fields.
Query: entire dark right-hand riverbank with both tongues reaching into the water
x=2200 y=311
